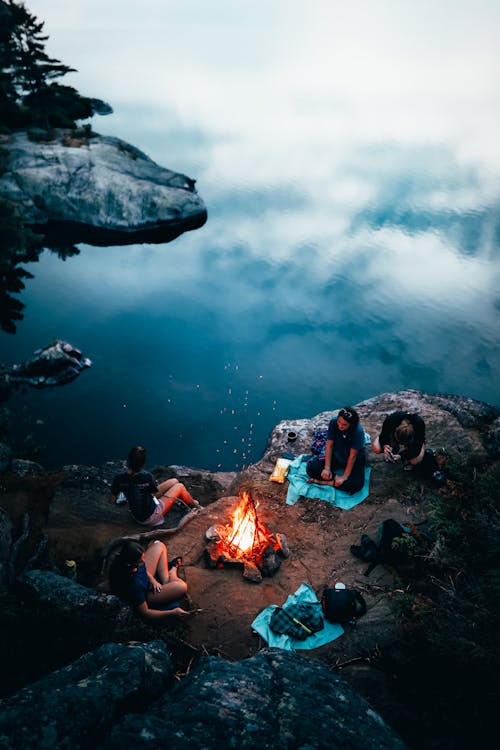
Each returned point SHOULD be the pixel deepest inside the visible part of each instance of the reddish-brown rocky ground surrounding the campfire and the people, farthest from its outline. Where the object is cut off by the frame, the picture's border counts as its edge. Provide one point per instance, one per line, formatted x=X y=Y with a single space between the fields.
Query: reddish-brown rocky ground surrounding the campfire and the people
x=71 y=509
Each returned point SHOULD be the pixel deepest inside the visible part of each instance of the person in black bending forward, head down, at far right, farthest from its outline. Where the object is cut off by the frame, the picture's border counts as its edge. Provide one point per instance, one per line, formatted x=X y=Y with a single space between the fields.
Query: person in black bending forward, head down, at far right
x=402 y=438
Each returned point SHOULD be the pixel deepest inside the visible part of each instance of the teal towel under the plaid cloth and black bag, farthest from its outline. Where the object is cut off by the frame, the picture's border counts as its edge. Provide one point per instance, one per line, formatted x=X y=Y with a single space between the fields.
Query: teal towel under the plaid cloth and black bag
x=304 y=594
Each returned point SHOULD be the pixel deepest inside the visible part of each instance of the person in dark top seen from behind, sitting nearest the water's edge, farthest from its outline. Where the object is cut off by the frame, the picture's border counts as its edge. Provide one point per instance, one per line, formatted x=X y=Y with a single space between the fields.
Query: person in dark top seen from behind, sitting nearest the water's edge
x=148 y=501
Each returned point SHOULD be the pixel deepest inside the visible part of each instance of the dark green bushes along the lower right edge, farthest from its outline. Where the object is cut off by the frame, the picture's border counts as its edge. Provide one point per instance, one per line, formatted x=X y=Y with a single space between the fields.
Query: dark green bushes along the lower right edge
x=449 y=655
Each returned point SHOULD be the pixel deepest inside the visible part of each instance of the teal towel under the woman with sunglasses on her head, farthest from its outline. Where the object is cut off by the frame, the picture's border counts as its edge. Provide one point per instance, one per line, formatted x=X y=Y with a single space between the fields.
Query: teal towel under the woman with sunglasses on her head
x=299 y=487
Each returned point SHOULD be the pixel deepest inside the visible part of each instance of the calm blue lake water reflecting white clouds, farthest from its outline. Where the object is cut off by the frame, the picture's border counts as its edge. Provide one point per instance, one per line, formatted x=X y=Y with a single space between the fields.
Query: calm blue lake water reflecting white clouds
x=349 y=159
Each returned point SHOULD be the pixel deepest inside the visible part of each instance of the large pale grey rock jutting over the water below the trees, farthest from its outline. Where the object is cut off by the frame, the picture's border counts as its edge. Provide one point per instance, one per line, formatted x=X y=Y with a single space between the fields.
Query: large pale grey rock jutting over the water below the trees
x=97 y=189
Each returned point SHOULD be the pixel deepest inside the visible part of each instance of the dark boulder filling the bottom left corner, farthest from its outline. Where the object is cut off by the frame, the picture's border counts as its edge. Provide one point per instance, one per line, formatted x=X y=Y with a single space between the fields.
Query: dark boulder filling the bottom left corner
x=75 y=705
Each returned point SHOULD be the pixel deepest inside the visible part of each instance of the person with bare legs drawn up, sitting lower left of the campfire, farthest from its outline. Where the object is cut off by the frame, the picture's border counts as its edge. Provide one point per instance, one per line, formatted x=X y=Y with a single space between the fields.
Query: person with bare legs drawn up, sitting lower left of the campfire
x=145 y=580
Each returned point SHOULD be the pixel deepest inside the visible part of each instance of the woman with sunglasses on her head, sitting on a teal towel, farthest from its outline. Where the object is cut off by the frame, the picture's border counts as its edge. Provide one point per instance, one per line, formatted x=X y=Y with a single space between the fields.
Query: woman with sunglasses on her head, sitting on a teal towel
x=345 y=449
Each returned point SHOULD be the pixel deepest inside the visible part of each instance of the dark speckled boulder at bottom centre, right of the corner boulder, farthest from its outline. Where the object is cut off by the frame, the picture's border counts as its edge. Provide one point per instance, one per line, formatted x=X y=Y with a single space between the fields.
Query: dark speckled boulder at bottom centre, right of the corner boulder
x=273 y=700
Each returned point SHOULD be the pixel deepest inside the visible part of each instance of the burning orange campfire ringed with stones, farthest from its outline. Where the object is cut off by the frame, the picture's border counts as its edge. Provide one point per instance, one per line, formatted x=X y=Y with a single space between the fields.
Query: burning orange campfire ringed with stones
x=246 y=541
